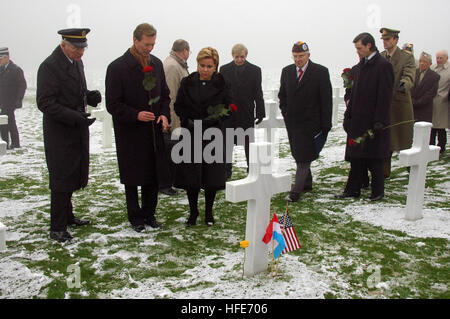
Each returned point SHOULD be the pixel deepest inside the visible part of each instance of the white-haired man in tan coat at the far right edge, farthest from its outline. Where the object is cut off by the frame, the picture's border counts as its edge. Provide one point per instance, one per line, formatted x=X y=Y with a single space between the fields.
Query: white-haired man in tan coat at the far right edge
x=441 y=103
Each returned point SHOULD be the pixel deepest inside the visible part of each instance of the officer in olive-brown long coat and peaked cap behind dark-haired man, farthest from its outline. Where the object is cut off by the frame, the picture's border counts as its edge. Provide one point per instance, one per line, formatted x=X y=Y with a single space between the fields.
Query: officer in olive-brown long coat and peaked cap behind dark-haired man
x=401 y=108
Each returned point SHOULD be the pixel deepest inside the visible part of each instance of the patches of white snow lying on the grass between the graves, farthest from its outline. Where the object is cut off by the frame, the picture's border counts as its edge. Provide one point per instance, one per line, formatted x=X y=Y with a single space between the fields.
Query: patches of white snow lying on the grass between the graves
x=17 y=281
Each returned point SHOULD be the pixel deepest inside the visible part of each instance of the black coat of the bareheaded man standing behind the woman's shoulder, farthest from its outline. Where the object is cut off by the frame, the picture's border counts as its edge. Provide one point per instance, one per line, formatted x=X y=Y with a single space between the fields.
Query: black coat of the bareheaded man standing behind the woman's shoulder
x=247 y=94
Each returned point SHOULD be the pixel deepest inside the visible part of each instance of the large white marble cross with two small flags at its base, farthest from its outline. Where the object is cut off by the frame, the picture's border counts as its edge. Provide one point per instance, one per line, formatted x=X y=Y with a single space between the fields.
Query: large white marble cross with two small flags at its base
x=258 y=188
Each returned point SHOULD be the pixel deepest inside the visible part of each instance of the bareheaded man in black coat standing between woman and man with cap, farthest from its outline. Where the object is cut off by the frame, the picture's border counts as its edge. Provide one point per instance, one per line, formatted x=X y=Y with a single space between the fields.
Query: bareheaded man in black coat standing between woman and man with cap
x=245 y=81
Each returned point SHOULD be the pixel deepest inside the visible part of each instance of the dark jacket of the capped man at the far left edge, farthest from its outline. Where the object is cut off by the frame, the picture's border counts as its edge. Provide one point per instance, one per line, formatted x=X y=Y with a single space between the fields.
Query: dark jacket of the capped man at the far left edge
x=12 y=87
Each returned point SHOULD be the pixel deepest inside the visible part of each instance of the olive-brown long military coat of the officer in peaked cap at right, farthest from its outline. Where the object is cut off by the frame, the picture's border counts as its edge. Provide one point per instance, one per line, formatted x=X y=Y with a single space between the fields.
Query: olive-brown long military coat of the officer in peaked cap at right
x=402 y=109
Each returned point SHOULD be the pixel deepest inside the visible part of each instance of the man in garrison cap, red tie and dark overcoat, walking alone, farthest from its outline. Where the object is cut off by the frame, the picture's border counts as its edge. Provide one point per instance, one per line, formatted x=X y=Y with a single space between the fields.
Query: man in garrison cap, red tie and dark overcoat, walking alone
x=306 y=105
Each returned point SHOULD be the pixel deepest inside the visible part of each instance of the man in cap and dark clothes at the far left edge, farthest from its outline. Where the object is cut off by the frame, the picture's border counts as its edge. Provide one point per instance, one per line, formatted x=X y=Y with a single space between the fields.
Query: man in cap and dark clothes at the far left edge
x=12 y=90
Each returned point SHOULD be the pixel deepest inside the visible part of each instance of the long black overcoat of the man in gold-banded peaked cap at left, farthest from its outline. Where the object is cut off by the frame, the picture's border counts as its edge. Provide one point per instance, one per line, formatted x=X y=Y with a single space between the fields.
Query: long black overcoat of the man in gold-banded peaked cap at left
x=61 y=96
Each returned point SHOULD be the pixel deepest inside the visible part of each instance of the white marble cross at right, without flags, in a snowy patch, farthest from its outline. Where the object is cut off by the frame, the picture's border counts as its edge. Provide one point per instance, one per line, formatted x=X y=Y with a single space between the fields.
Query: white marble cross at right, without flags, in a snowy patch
x=417 y=158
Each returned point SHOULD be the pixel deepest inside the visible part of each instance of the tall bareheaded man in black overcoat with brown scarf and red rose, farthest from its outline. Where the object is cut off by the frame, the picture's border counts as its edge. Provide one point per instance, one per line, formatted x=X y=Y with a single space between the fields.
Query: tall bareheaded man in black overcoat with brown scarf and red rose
x=138 y=126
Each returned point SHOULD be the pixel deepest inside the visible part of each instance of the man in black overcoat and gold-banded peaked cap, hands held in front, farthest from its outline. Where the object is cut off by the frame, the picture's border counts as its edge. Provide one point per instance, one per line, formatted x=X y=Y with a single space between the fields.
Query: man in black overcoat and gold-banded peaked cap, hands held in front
x=62 y=96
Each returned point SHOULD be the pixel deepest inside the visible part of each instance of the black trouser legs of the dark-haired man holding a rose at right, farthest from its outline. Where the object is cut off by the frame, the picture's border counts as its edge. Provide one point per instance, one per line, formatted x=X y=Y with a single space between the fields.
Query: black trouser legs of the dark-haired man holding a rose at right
x=358 y=169
